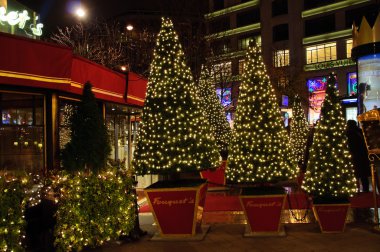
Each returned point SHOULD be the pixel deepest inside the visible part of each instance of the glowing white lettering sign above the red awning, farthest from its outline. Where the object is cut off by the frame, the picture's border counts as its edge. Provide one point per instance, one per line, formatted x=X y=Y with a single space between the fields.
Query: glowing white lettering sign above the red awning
x=21 y=19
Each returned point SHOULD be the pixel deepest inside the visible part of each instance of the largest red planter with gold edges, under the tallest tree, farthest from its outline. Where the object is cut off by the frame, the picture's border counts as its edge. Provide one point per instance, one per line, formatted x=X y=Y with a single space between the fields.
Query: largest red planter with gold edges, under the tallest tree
x=177 y=210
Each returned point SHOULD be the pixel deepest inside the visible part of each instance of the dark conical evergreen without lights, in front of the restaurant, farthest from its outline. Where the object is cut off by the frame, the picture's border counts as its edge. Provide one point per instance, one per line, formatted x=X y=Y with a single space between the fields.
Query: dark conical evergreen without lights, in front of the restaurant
x=89 y=146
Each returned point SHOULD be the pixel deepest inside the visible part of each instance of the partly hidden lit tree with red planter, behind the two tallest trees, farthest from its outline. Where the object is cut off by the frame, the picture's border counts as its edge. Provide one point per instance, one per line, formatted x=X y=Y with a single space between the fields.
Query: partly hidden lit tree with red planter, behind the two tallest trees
x=220 y=127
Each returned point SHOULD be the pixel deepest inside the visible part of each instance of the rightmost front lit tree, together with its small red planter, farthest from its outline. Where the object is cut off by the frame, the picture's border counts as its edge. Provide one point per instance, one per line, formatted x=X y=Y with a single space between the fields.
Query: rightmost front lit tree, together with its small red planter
x=329 y=177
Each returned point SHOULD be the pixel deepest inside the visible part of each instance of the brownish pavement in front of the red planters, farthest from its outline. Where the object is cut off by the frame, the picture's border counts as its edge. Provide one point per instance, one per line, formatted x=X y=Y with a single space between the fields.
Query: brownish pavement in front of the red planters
x=229 y=237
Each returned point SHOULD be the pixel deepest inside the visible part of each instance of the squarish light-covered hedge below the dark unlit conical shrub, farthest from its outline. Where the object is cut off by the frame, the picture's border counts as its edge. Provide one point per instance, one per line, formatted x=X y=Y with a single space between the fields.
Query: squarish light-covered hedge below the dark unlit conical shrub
x=93 y=209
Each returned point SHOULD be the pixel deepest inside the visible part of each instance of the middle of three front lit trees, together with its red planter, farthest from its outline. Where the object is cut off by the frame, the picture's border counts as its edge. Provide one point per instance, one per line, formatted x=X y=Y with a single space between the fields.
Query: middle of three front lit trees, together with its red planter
x=259 y=155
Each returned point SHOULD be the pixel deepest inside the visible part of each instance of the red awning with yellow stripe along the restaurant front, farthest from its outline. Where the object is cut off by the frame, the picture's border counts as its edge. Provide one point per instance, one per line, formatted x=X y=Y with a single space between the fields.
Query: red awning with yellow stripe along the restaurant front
x=27 y=62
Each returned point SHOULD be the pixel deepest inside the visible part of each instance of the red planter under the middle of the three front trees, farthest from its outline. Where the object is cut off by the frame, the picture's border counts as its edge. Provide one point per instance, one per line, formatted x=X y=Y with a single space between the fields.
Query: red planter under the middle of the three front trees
x=263 y=212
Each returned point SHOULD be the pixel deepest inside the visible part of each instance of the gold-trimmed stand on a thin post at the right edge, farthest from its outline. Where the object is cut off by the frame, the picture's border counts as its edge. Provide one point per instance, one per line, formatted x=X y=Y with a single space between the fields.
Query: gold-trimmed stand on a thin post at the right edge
x=370 y=122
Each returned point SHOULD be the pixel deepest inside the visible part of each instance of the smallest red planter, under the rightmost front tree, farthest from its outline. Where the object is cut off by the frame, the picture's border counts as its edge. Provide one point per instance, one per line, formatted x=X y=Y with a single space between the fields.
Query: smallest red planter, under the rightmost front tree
x=331 y=217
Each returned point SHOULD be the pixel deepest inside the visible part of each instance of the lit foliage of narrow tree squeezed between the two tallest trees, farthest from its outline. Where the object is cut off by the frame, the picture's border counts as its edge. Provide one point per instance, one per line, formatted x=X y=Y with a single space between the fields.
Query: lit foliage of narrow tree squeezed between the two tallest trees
x=214 y=111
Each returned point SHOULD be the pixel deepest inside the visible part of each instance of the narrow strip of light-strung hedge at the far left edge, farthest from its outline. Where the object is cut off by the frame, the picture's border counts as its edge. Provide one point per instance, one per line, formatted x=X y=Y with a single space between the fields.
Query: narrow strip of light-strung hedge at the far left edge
x=12 y=222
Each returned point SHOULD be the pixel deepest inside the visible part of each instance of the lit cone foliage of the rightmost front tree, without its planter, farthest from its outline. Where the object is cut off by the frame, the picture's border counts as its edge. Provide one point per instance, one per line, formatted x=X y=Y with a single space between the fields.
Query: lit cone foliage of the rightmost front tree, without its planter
x=330 y=171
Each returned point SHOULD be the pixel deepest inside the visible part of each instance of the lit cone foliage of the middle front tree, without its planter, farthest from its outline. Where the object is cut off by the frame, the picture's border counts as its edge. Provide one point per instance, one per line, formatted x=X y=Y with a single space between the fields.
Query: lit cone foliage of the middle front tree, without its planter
x=259 y=150
